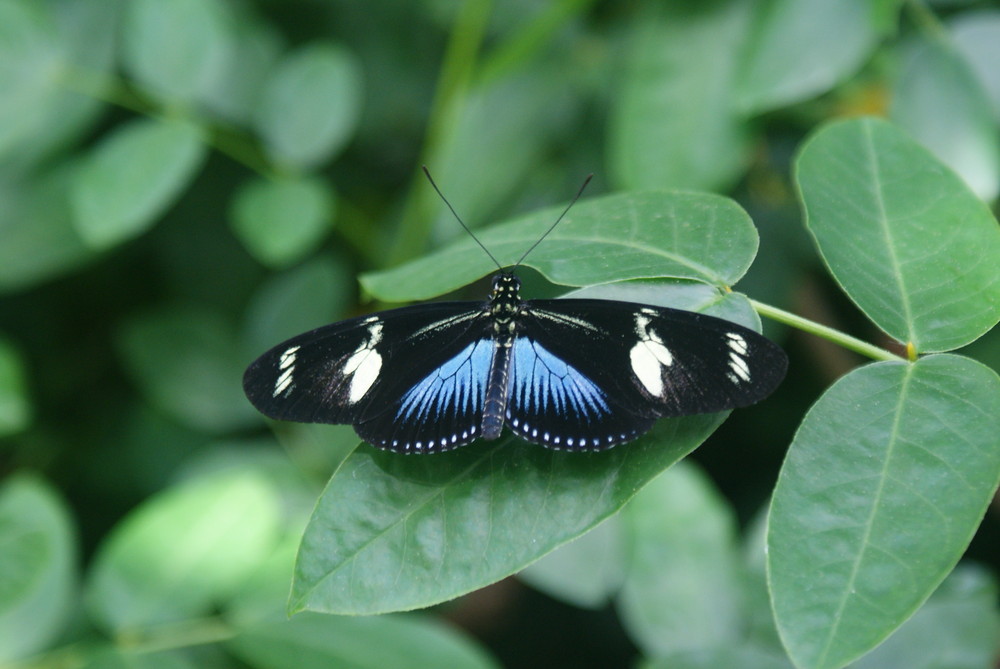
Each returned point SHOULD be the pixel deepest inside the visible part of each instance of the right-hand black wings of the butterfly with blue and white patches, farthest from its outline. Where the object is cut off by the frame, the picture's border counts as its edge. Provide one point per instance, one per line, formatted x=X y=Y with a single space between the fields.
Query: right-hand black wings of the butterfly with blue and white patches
x=589 y=374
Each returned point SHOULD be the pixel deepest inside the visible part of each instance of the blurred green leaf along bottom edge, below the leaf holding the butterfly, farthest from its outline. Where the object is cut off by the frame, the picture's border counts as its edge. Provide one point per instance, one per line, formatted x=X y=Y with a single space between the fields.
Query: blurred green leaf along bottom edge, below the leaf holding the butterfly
x=311 y=641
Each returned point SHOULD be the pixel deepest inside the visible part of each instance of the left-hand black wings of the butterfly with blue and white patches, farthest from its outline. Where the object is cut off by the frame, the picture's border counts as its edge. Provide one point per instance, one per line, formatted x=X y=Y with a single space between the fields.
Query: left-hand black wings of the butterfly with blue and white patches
x=410 y=379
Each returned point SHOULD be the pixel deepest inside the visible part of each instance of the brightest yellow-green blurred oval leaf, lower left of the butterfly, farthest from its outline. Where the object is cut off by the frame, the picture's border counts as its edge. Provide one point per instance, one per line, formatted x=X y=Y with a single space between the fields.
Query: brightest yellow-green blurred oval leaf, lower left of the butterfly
x=182 y=552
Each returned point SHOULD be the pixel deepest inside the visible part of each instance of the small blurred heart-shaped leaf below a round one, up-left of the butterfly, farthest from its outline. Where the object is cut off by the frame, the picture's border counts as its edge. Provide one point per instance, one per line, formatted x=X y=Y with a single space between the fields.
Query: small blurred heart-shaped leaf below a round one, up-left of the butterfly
x=282 y=221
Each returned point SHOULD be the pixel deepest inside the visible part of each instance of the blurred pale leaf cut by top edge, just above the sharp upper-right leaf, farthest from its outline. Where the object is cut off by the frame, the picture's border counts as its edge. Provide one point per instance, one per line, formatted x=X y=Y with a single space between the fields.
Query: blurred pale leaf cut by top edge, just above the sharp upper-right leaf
x=800 y=48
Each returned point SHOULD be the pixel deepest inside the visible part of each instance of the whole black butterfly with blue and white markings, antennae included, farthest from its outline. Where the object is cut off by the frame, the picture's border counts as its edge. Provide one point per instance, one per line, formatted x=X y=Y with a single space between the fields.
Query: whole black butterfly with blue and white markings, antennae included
x=568 y=374
